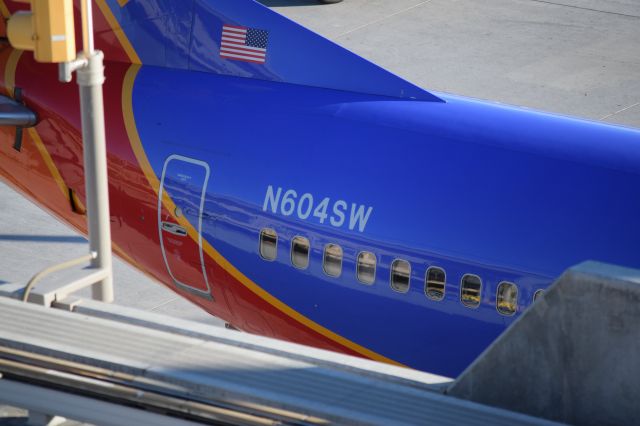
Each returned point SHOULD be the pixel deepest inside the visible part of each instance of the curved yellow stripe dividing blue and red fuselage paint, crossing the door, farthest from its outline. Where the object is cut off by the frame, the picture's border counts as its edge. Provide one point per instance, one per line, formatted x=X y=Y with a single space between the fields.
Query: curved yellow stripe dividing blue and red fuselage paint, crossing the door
x=136 y=144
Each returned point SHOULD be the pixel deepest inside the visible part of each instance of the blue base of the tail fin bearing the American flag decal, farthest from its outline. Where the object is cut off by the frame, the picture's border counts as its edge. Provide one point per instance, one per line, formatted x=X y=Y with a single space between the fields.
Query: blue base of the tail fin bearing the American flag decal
x=246 y=39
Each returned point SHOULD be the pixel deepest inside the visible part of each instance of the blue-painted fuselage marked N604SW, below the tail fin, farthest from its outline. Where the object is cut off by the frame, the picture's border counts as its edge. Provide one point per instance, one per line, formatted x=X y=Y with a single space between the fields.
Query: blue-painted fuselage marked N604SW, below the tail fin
x=471 y=187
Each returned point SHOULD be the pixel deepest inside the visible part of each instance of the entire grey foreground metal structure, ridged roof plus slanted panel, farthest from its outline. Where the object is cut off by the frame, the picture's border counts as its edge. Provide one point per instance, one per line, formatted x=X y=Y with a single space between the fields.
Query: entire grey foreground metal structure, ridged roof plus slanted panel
x=189 y=372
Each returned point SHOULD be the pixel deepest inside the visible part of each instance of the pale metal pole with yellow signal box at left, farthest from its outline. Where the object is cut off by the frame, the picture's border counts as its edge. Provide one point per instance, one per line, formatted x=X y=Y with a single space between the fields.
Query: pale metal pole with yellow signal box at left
x=24 y=32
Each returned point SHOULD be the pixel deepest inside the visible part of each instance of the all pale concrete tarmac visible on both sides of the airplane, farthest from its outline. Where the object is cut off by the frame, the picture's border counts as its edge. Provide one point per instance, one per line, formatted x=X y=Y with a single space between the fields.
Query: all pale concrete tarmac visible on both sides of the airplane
x=574 y=57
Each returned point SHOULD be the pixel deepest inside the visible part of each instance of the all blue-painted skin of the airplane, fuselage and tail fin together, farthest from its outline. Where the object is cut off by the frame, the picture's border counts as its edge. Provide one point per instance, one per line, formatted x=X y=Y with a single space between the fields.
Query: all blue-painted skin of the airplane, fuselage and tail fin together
x=319 y=143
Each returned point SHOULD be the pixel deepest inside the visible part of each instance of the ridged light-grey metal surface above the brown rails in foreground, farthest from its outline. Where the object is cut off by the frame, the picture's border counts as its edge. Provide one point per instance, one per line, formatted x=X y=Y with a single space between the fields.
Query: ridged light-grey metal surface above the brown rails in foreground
x=227 y=368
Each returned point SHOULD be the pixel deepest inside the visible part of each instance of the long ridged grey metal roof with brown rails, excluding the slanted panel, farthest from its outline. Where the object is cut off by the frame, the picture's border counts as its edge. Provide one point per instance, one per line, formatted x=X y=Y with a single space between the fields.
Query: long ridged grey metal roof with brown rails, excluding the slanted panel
x=112 y=370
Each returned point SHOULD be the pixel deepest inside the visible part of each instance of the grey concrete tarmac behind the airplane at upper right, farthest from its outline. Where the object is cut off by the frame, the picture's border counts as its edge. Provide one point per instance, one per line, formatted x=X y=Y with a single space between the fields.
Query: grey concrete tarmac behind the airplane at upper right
x=574 y=57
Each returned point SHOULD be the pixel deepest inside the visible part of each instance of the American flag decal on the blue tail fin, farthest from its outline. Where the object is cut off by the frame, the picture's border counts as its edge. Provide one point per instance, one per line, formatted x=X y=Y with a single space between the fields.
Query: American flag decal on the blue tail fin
x=244 y=44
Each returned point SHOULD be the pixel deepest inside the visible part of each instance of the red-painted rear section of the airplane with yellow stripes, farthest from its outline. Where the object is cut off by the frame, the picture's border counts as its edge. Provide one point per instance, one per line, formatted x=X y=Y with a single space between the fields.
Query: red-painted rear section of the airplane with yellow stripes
x=49 y=165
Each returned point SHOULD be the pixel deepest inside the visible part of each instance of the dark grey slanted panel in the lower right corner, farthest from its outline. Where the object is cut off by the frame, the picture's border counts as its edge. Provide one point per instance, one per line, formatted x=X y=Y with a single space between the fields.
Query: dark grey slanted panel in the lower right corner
x=573 y=357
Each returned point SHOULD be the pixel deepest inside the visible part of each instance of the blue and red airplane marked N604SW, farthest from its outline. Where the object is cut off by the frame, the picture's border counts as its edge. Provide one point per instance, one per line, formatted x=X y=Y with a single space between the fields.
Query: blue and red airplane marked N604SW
x=298 y=191
